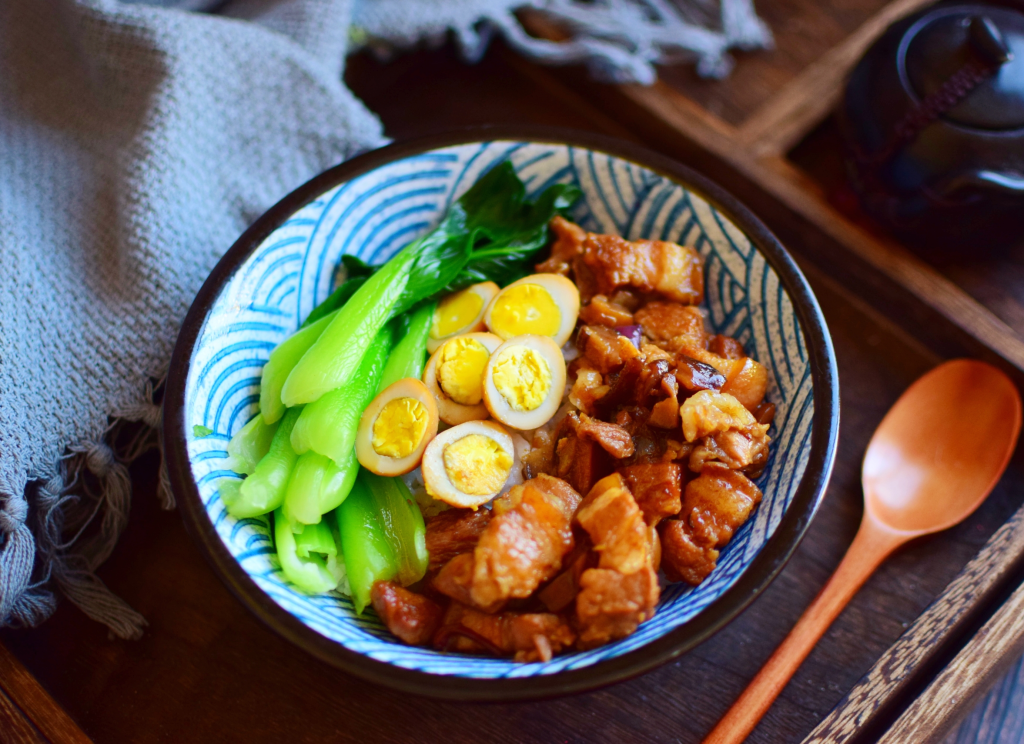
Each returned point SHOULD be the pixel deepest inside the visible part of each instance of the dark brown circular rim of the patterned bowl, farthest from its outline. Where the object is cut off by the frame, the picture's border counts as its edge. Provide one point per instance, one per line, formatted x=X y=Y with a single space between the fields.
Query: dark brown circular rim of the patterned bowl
x=762 y=571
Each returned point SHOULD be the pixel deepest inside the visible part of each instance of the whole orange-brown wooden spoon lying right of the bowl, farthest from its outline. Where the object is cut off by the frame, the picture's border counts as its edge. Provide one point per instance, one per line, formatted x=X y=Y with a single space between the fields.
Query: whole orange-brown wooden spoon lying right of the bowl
x=936 y=456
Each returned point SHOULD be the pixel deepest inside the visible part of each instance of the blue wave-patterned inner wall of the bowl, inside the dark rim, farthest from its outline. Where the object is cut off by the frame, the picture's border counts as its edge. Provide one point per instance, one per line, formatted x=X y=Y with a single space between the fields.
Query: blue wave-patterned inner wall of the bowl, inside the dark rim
x=373 y=215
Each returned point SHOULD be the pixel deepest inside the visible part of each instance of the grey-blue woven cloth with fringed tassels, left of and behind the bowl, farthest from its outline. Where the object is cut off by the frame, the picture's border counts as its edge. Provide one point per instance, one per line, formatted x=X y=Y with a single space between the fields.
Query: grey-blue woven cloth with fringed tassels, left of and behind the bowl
x=138 y=142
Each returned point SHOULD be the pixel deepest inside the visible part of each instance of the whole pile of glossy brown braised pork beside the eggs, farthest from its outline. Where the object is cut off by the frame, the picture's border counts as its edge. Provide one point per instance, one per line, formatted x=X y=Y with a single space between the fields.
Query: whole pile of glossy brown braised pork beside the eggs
x=647 y=469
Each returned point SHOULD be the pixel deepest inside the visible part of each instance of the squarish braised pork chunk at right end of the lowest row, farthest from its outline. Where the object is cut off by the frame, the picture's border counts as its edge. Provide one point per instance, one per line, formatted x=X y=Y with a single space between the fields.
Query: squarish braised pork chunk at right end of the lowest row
x=611 y=604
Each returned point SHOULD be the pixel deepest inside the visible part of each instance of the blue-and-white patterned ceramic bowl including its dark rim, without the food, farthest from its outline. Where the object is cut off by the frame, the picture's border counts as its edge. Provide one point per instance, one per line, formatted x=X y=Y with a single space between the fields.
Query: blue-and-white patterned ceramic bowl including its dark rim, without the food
x=374 y=205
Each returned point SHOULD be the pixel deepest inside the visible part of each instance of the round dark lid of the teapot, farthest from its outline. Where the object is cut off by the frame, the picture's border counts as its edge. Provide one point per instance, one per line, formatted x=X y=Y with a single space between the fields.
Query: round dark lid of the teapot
x=991 y=38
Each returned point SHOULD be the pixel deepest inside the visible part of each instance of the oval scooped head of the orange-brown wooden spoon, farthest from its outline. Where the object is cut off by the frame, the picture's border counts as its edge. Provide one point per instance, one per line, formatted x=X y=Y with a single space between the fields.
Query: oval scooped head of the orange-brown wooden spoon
x=942 y=449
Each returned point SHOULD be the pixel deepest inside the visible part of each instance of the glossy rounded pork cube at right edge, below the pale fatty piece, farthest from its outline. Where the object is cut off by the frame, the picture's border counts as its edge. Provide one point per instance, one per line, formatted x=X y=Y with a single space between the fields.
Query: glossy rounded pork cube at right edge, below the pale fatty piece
x=717 y=503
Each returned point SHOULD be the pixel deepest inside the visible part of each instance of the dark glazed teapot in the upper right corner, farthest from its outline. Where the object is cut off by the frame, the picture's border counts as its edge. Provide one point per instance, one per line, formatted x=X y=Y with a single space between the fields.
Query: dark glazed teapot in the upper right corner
x=933 y=122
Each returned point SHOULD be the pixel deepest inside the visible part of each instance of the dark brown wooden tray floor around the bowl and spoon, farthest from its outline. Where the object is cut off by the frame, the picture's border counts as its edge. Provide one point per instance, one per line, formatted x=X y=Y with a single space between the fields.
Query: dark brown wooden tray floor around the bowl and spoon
x=207 y=671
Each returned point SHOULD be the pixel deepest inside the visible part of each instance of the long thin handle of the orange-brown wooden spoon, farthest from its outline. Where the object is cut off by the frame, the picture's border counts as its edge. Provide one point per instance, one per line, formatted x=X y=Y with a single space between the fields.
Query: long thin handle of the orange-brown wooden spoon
x=873 y=544
